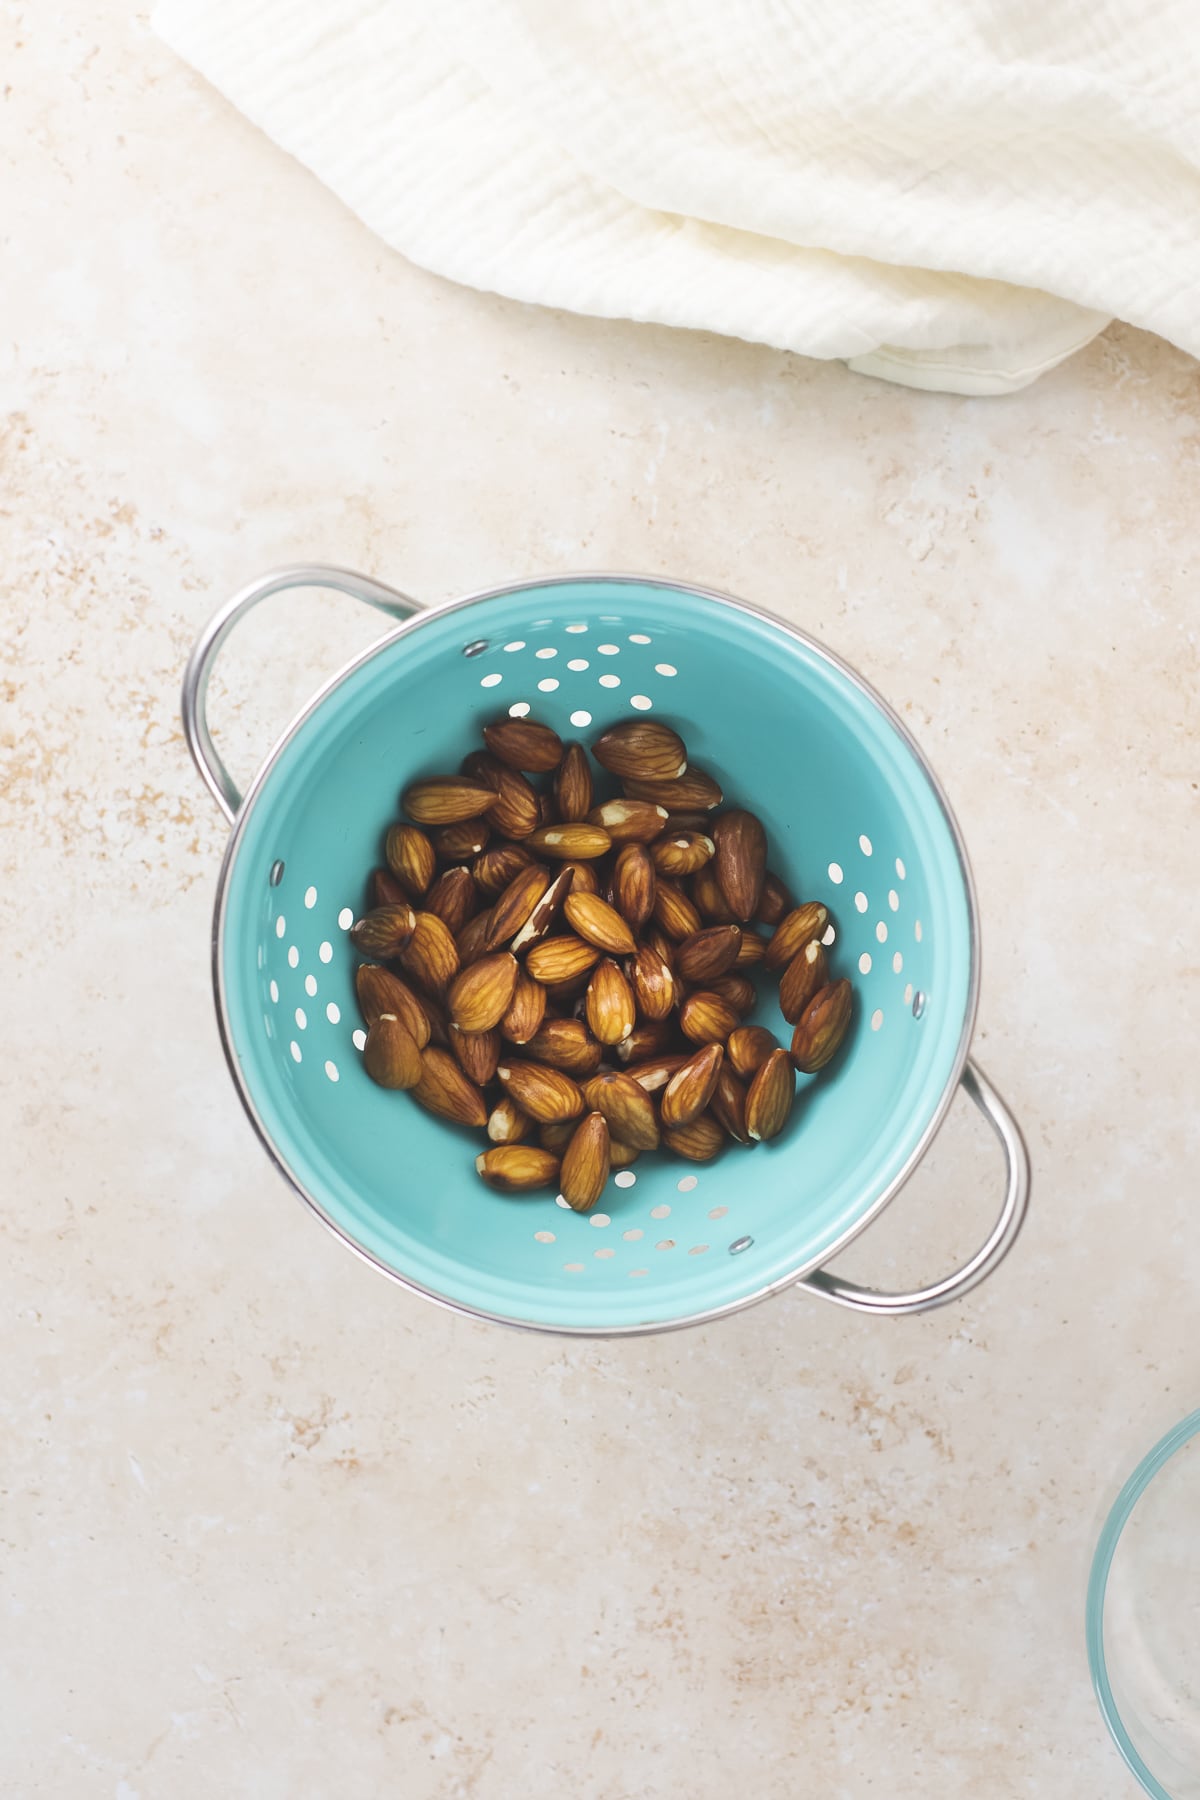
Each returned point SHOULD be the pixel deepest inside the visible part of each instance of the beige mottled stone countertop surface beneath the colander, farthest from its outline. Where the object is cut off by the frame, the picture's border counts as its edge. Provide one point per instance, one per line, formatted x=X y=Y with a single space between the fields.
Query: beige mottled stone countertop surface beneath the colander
x=274 y=1527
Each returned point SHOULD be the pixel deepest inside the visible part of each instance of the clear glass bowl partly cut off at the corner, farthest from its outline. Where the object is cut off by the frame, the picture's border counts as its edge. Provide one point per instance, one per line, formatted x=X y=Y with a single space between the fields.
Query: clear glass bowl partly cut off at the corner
x=1143 y=1617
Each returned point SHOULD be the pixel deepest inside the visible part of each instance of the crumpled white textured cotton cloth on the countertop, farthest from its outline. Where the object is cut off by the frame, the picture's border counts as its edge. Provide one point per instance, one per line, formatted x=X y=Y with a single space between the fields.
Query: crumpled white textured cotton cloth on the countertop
x=949 y=195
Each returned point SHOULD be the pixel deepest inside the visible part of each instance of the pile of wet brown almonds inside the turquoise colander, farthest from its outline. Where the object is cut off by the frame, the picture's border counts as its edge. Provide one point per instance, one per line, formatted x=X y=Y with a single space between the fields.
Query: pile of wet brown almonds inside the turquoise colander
x=573 y=976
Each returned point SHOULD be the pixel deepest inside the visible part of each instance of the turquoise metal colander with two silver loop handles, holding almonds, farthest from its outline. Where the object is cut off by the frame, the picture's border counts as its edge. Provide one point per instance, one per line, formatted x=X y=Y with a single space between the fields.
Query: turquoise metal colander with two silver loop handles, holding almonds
x=854 y=816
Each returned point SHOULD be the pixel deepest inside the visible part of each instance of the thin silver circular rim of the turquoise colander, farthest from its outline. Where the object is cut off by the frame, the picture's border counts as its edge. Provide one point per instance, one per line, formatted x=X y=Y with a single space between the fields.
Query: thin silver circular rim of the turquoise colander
x=598 y=1331
